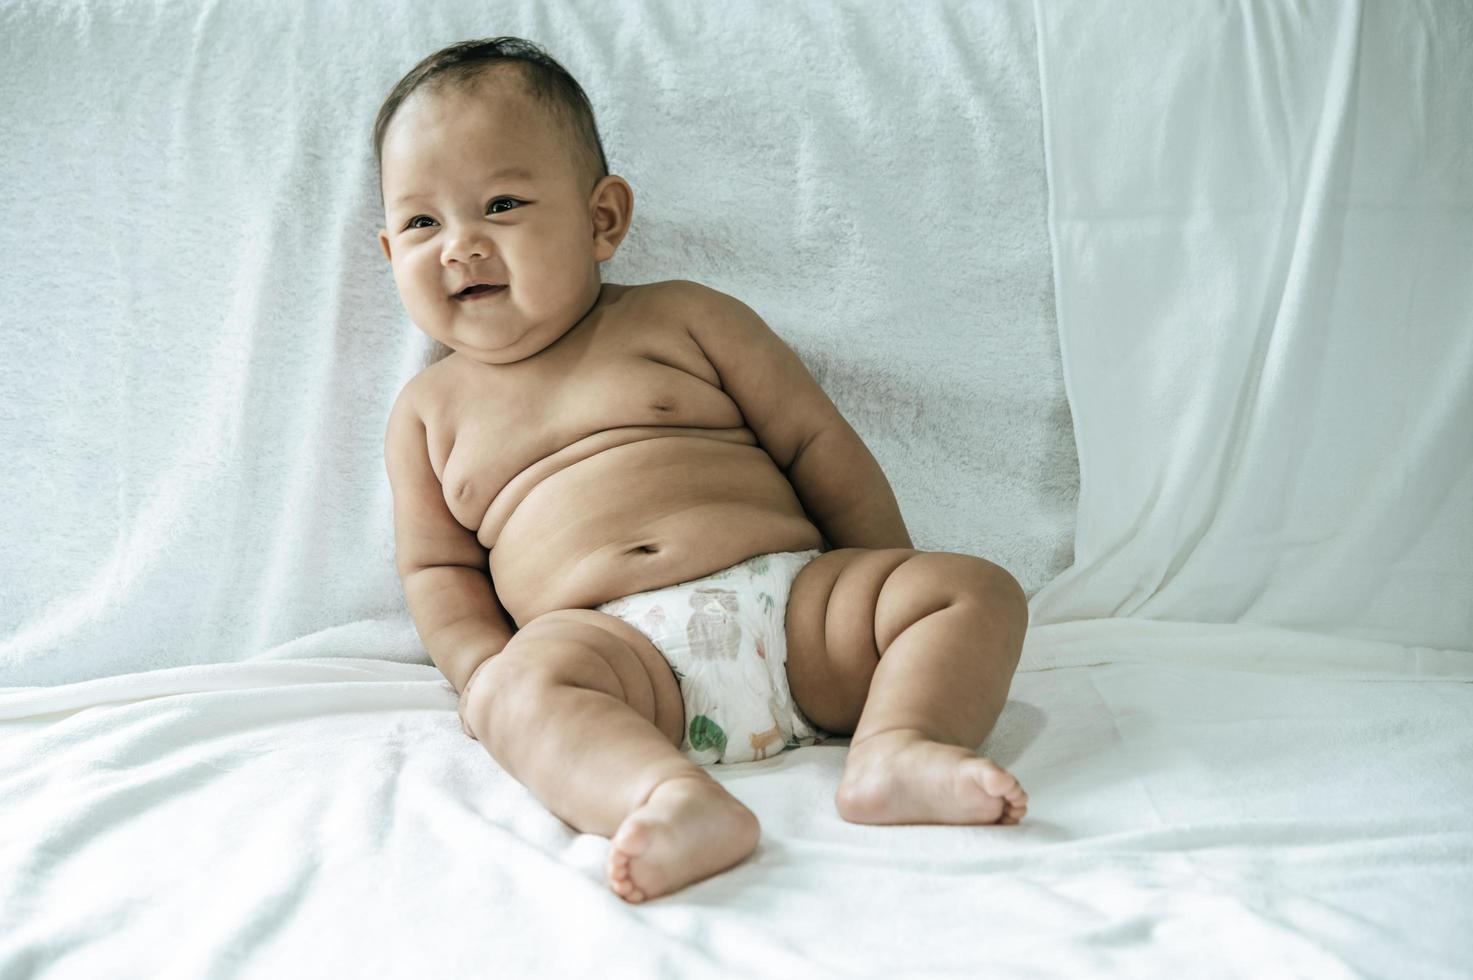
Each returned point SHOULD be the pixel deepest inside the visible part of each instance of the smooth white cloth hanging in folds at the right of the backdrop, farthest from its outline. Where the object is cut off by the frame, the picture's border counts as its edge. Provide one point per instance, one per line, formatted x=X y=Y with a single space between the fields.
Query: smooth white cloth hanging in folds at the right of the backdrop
x=1263 y=229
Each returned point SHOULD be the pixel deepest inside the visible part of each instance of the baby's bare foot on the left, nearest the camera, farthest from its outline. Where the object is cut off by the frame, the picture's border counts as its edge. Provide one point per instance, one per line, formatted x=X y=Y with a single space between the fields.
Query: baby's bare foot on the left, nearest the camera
x=689 y=830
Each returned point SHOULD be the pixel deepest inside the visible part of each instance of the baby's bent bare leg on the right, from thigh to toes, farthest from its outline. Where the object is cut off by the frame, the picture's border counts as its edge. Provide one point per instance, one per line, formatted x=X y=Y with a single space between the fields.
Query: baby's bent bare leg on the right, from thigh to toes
x=913 y=652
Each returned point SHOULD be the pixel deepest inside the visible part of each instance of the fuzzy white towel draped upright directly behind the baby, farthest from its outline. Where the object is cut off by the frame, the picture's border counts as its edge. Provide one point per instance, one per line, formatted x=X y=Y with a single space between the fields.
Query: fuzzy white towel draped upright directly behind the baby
x=204 y=340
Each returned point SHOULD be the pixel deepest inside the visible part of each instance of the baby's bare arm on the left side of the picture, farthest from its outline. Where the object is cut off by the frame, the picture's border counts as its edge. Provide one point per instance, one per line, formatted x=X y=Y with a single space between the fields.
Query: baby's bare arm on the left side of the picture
x=441 y=564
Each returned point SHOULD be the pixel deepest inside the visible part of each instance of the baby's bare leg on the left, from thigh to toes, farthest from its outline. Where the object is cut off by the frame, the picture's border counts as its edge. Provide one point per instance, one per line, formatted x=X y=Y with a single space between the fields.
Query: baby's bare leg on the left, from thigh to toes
x=583 y=711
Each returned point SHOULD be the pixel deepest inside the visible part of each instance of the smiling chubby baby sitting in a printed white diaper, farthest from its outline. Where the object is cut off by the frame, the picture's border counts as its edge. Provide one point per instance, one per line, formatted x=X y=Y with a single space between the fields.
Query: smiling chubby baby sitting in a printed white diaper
x=633 y=531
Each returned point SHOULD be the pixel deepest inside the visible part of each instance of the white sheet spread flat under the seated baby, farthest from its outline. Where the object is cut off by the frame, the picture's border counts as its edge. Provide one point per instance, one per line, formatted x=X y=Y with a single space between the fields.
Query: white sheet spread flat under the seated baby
x=1206 y=801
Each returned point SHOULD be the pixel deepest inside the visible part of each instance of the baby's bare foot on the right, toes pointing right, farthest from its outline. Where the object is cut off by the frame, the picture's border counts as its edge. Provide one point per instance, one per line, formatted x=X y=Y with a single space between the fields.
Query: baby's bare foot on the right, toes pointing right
x=902 y=777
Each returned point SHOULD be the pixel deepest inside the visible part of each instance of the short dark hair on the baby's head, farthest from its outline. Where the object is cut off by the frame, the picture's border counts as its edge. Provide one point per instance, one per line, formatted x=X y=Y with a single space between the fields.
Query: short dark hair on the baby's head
x=547 y=82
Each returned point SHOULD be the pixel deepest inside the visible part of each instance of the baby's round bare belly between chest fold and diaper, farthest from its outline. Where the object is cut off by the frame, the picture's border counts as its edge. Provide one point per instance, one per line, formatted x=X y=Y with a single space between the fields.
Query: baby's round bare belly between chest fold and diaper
x=641 y=517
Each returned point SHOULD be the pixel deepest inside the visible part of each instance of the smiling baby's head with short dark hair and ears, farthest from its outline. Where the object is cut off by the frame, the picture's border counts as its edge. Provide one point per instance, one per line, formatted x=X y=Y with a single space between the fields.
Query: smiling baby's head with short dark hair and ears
x=493 y=172
